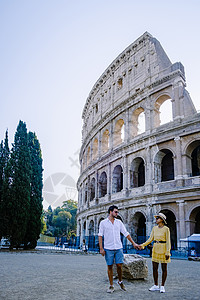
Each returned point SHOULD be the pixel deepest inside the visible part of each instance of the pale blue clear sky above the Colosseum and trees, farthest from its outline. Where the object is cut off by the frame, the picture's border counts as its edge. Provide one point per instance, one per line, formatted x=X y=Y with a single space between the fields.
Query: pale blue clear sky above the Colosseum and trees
x=52 y=53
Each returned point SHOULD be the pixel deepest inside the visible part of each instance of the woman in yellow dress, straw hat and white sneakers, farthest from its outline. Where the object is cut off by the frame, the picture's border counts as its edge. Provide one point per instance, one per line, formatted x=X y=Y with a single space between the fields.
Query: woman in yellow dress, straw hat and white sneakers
x=161 y=250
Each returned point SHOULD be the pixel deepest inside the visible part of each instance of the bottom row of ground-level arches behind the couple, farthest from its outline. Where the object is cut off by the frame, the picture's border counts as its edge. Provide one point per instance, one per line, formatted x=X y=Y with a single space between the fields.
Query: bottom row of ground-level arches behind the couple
x=138 y=228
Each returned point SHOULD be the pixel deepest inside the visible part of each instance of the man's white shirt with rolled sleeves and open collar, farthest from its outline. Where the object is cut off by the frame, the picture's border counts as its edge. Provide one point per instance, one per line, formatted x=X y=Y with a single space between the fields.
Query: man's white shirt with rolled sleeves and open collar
x=111 y=233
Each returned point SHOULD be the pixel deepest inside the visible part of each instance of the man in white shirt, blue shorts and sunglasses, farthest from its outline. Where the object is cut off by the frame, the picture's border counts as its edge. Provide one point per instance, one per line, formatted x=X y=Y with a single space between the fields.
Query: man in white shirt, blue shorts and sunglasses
x=110 y=229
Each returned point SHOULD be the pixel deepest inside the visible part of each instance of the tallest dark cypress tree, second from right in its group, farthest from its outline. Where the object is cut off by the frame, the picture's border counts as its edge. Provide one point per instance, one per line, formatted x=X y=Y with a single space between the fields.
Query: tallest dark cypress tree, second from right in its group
x=19 y=202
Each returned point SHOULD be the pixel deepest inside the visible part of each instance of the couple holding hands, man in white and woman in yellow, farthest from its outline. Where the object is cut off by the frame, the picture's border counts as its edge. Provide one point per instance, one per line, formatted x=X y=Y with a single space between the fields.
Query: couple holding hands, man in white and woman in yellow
x=110 y=229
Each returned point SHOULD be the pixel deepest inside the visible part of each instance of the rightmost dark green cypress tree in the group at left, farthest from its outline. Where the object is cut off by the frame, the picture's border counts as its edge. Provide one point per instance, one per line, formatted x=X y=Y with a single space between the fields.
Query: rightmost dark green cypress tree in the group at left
x=35 y=211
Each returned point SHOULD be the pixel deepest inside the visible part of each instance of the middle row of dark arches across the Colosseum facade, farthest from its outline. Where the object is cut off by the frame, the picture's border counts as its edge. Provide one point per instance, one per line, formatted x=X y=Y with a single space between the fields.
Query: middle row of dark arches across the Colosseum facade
x=163 y=171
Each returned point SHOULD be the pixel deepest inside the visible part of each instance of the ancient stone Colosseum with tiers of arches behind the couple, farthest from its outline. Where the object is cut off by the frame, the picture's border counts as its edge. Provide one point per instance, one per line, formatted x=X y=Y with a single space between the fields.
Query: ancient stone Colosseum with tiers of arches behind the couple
x=140 y=146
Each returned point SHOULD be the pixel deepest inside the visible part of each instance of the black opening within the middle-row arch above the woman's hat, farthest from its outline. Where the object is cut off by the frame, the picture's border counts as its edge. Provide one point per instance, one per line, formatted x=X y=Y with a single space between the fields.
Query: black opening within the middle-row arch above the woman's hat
x=167 y=166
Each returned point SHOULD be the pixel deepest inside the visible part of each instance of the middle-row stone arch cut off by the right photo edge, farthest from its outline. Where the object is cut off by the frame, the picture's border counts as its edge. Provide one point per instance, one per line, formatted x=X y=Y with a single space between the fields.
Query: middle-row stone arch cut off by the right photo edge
x=193 y=158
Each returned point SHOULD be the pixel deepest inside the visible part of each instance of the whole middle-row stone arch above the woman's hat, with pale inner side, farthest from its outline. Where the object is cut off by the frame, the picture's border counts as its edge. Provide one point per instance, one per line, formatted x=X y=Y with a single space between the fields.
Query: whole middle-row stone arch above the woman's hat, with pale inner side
x=164 y=166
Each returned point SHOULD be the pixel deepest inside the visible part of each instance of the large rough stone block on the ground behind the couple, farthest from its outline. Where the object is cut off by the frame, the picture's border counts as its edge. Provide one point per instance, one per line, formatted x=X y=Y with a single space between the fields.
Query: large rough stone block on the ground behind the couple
x=134 y=267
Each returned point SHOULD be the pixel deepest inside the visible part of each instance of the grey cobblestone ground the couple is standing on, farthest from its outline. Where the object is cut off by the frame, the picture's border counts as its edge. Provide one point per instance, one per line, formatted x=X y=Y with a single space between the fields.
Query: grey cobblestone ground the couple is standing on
x=45 y=275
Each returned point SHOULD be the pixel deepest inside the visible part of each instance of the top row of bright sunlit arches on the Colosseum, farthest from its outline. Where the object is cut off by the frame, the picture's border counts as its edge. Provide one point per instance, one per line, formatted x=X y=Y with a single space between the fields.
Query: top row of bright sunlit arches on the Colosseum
x=137 y=126
